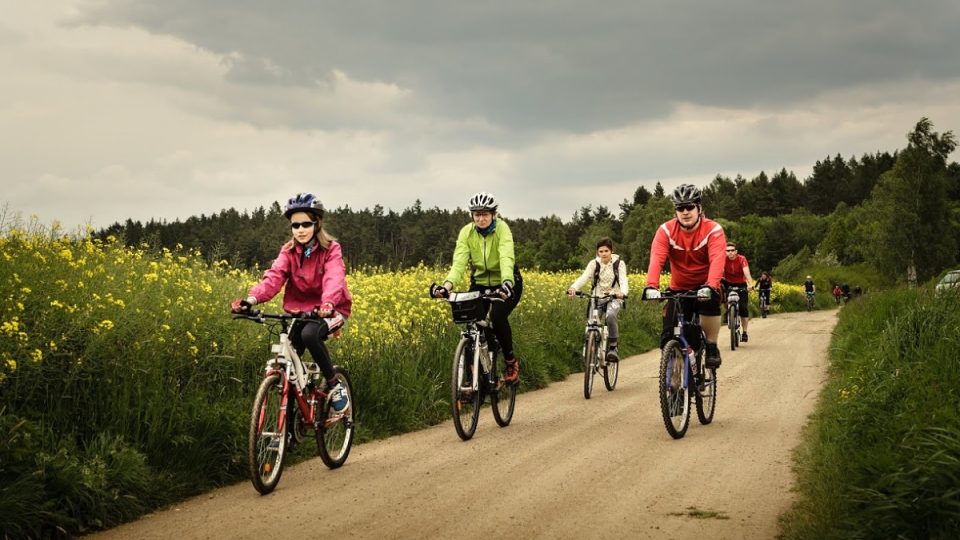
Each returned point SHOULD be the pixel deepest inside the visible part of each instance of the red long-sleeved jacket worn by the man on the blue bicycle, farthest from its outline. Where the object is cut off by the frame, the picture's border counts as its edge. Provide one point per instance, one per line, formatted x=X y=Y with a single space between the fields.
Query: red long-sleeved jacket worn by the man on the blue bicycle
x=696 y=257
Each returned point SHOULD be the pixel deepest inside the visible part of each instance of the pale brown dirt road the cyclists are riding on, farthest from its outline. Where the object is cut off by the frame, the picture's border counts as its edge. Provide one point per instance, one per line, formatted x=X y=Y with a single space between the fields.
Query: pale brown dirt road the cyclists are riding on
x=565 y=468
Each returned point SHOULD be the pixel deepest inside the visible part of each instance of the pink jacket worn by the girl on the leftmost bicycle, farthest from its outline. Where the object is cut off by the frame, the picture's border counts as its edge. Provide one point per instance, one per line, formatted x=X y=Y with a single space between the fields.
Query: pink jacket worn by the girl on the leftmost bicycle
x=321 y=278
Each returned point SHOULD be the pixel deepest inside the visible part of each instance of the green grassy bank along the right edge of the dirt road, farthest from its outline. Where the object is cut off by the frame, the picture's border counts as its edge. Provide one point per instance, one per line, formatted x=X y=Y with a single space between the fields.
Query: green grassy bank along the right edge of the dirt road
x=881 y=457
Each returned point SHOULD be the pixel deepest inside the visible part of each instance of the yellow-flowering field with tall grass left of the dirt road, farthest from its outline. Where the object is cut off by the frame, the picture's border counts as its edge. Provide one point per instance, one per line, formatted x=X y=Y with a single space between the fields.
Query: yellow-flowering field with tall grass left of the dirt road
x=125 y=384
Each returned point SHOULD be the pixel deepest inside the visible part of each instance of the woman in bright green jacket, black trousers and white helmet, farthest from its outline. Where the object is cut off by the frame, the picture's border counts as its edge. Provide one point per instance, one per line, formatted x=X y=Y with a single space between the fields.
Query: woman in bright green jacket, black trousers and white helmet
x=487 y=245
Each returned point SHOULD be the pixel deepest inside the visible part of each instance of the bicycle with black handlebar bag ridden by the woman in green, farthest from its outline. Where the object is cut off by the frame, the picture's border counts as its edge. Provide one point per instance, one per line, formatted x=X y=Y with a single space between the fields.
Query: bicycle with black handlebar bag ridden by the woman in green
x=477 y=369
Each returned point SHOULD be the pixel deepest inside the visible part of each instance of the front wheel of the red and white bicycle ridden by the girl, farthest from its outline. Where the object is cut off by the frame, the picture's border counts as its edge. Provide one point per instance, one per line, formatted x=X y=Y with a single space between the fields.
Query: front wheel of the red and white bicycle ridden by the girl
x=267 y=438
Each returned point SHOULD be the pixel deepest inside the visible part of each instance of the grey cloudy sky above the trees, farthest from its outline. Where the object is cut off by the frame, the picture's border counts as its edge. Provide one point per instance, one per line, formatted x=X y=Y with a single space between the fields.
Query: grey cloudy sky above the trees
x=165 y=109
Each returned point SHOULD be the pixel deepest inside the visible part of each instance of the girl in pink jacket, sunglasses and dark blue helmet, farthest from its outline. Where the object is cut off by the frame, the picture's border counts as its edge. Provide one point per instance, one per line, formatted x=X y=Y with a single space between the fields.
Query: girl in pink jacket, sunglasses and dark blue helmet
x=311 y=267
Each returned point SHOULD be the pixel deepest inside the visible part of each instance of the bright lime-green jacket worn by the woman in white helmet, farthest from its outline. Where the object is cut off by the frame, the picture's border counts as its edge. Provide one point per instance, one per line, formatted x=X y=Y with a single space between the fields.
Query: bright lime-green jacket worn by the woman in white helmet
x=491 y=256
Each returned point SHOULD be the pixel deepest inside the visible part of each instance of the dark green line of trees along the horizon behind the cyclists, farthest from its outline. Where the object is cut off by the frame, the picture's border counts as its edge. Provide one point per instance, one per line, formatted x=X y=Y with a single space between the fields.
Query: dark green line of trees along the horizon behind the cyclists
x=898 y=212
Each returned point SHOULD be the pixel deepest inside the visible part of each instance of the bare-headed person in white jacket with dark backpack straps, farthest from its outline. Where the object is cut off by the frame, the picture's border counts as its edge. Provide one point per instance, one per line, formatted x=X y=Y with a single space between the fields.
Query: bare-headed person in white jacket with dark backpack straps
x=609 y=276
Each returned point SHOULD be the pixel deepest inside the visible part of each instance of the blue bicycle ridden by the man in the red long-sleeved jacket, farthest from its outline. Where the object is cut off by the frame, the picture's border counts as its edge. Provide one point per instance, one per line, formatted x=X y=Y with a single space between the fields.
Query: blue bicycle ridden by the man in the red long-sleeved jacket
x=682 y=372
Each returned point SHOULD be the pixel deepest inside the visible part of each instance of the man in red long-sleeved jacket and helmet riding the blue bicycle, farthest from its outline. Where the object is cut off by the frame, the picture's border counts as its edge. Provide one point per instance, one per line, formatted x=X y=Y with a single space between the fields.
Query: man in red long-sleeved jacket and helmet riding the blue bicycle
x=694 y=245
